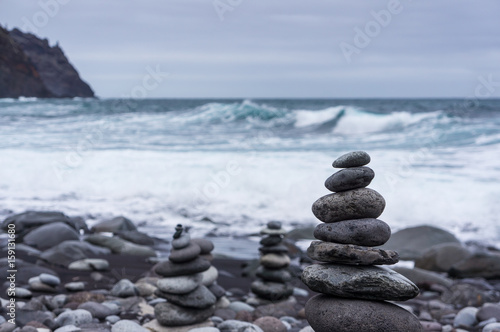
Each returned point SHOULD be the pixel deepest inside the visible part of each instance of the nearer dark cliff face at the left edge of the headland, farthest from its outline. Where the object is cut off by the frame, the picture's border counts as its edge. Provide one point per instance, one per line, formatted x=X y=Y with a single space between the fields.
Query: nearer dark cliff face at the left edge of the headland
x=18 y=75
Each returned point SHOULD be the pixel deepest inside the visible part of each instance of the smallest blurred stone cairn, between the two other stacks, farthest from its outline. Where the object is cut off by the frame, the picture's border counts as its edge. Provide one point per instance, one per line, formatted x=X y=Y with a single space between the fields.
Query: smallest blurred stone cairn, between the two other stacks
x=273 y=271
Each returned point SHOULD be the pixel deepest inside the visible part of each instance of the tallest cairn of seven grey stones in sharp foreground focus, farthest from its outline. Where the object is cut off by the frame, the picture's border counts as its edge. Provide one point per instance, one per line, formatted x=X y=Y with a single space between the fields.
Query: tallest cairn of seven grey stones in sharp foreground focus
x=353 y=289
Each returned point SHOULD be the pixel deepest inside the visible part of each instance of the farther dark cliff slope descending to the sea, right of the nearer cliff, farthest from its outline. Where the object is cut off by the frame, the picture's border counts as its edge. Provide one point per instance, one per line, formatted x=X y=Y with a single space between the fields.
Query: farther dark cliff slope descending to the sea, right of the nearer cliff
x=57 y=74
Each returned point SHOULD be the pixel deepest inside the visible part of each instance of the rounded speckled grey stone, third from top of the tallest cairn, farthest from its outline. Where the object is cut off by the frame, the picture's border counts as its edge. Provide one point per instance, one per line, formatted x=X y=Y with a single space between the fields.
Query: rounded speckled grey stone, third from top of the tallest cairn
x=351 y=204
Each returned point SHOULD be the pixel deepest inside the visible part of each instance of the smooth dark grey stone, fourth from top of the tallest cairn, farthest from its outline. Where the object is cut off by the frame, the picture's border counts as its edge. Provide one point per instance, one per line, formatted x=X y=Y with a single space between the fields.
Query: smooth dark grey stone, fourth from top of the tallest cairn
x=363 y=232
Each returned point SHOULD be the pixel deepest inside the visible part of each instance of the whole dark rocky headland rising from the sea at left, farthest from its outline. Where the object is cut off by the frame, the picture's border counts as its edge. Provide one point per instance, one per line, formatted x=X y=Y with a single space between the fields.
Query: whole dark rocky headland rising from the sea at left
x=30 y=67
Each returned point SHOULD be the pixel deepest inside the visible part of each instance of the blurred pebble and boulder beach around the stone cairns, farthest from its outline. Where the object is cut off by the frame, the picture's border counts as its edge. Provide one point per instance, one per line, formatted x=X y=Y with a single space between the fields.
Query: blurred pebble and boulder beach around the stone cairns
x=87 y=280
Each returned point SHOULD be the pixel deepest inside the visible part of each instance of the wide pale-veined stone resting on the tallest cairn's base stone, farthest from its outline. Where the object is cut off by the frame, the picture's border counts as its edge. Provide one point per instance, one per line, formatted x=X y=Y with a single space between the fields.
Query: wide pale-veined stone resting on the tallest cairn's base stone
x=359 y=282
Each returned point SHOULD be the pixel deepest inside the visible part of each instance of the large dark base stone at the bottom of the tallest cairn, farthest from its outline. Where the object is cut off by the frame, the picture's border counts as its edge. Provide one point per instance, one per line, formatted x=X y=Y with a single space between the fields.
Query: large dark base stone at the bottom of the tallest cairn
x=326 y=314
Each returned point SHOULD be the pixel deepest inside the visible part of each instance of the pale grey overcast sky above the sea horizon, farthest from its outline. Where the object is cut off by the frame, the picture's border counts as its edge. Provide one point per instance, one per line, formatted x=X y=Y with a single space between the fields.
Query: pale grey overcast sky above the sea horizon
x=271 y=48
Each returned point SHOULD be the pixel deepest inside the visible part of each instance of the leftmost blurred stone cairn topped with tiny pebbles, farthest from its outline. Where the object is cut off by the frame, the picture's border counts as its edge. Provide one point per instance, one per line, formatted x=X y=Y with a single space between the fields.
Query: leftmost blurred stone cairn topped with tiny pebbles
x=188 y=282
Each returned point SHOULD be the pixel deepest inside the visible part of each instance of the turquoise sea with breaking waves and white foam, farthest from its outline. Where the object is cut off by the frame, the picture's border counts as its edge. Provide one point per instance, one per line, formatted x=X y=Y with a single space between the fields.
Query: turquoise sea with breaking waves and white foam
x=228 y=166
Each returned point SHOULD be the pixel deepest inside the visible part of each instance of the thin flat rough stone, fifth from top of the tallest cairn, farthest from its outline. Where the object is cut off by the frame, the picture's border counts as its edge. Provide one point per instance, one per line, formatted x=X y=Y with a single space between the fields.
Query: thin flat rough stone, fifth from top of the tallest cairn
x=350 y=254
